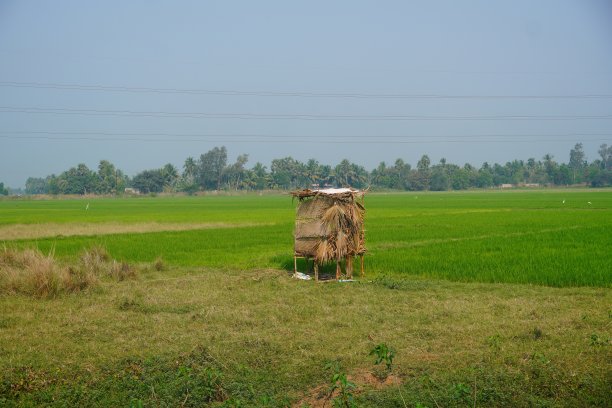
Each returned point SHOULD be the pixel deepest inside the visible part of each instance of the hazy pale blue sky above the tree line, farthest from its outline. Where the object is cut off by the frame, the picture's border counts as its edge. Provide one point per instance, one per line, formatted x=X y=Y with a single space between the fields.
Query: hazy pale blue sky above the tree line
x=139 y=82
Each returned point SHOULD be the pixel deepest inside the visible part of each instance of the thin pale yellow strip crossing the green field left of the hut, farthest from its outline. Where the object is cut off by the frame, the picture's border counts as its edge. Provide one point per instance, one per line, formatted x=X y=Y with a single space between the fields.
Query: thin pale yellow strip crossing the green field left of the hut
x=29 y=231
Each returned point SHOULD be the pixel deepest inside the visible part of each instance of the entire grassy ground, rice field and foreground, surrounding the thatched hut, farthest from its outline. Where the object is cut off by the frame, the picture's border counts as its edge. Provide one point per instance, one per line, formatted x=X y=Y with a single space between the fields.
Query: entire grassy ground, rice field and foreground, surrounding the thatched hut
x=488 y=298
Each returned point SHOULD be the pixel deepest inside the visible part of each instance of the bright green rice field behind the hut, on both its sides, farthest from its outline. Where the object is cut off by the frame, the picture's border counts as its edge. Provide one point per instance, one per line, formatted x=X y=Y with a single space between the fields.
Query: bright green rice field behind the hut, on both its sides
x=558 y=238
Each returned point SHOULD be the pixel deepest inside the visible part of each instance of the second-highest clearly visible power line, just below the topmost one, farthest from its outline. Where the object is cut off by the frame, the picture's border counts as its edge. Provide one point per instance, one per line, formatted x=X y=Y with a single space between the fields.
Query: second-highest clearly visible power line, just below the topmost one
x=281 y=116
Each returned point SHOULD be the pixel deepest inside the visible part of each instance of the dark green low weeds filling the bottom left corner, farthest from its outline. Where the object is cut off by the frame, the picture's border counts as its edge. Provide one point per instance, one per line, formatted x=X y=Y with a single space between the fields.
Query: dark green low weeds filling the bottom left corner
x=188 y=380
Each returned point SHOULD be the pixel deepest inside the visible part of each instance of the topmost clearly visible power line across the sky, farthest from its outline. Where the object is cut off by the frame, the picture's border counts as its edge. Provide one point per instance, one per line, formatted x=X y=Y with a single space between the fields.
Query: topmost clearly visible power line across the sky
x=301 y=94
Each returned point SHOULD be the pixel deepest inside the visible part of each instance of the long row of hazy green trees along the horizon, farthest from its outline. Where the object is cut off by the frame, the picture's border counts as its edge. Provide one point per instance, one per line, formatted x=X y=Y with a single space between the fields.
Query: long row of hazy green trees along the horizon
x=211 y=171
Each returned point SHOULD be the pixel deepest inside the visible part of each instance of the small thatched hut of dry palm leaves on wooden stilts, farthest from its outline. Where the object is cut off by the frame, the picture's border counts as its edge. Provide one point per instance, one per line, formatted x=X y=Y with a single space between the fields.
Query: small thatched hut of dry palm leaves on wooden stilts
x=329 y=228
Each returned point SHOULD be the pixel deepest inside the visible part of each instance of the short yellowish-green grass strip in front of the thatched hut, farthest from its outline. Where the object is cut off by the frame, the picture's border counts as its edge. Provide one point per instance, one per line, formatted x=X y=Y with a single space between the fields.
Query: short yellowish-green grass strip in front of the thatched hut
x=275 y=334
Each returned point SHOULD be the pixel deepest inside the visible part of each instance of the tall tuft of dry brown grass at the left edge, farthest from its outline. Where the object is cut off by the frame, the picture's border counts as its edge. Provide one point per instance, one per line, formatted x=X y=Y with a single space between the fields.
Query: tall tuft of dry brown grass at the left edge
x=30 y=272
